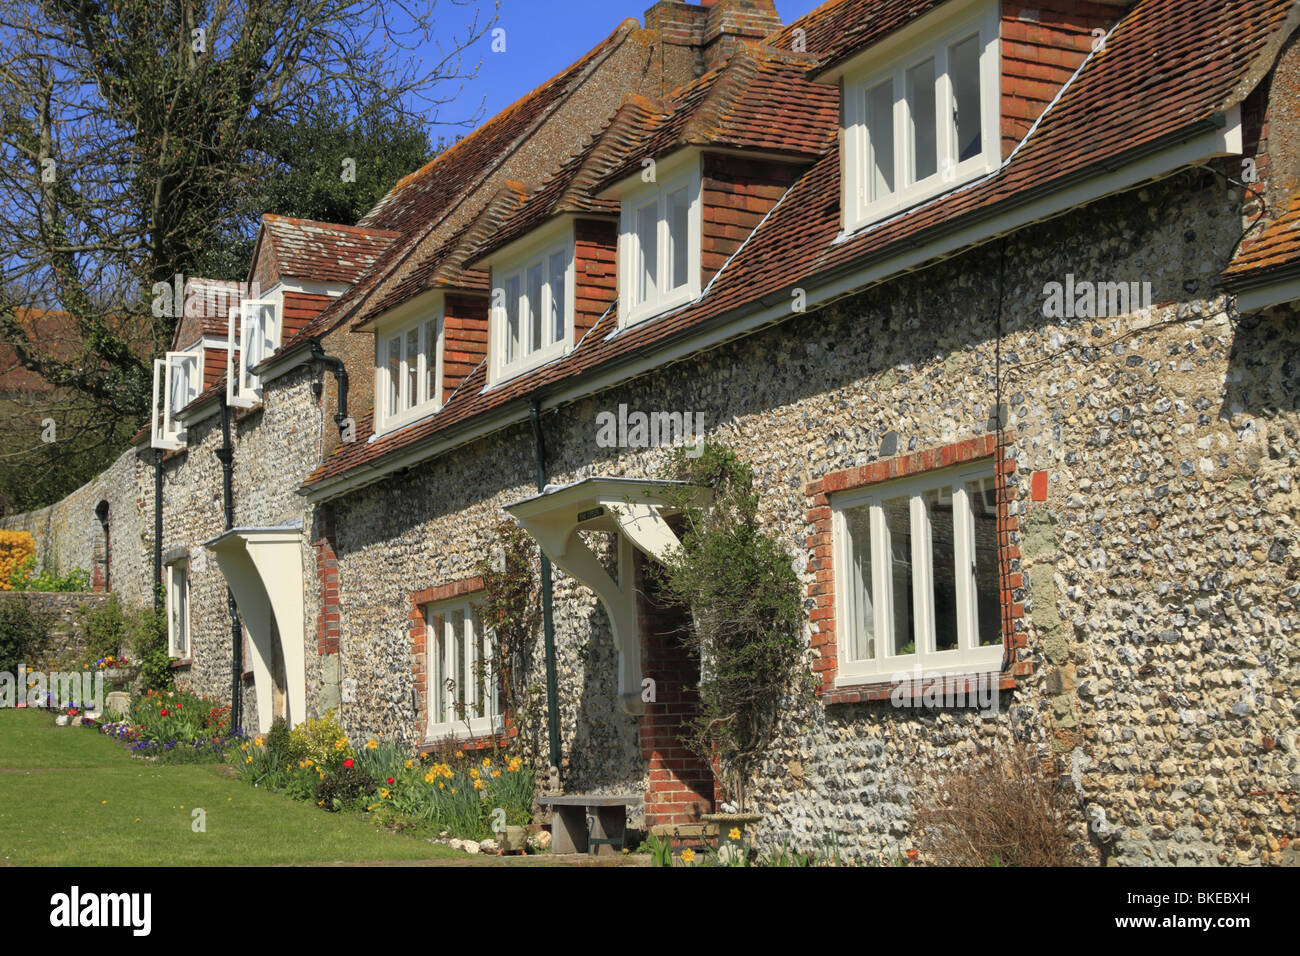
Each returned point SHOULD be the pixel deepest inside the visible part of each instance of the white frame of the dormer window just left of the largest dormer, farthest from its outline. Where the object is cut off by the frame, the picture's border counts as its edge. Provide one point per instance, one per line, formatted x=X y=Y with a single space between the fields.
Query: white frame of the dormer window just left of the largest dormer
x=634 y=200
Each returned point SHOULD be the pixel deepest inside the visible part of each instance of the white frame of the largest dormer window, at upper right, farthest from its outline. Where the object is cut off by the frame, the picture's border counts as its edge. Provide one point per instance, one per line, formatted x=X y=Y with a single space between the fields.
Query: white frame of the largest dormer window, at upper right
x=930 y=40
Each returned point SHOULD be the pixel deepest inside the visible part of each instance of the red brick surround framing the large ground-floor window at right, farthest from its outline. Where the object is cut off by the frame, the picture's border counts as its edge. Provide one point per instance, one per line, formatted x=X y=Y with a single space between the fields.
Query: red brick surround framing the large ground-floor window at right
x=822 y=546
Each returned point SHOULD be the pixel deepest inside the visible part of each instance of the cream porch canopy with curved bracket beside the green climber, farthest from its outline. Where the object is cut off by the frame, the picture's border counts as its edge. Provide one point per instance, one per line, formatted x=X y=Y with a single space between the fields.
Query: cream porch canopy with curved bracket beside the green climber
x=635 y=511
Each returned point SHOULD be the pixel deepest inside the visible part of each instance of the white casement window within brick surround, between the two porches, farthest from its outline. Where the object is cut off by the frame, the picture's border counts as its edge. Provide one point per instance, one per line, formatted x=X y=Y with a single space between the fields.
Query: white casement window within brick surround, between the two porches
x=463 y=693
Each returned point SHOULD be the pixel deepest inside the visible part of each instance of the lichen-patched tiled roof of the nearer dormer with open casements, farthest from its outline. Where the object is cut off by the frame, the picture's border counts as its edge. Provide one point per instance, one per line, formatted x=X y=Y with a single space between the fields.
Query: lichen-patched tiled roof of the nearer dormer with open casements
x=324 y=252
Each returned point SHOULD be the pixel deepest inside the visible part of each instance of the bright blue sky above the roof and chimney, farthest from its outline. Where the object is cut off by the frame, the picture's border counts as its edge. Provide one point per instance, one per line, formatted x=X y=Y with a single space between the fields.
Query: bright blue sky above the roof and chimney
x=544 y=37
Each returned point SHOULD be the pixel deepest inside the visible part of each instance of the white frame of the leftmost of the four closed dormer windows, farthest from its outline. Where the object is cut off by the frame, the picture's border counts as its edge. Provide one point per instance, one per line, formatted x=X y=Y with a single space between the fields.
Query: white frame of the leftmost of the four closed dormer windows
x=426 y=325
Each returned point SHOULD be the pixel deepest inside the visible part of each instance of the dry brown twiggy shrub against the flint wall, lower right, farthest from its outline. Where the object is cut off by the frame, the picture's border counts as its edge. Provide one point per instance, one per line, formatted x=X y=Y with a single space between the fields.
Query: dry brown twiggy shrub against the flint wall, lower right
x=1006 y=808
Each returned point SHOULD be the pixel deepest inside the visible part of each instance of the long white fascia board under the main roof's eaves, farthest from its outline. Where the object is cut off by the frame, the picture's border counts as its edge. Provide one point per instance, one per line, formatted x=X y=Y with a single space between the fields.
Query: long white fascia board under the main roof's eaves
x=1198 y=149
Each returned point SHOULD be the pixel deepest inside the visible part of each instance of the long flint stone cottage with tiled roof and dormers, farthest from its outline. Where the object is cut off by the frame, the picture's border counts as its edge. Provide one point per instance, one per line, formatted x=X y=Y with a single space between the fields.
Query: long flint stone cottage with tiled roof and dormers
x=831 y=241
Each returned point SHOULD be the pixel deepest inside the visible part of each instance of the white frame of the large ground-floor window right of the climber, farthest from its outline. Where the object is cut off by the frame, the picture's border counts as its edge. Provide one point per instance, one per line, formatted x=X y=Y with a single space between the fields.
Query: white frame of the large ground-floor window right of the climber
x=969 y=657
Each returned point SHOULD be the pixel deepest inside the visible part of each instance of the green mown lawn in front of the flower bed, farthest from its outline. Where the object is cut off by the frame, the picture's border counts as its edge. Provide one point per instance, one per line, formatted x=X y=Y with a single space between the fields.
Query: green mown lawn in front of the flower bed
x=71 y=797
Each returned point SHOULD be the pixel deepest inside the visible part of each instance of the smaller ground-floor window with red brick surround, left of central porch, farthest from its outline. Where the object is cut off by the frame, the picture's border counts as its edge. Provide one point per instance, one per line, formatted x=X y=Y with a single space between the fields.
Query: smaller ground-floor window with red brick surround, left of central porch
x=450 y=603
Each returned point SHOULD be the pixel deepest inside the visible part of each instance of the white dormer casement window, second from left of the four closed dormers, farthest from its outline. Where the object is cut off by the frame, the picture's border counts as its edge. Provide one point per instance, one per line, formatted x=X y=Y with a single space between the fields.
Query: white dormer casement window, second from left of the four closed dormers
x=532 y=309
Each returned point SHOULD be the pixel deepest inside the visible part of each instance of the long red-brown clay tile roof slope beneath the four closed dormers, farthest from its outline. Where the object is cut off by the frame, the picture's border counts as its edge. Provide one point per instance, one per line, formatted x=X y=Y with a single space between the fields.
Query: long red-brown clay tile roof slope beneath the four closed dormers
x=1171 y=66
